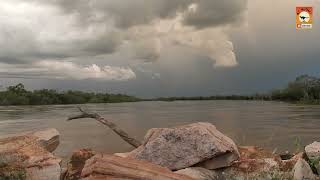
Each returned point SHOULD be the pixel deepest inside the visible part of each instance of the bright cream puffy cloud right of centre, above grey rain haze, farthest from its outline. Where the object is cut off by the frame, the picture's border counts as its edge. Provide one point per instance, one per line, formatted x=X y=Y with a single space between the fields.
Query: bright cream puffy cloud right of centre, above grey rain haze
x=149 y=40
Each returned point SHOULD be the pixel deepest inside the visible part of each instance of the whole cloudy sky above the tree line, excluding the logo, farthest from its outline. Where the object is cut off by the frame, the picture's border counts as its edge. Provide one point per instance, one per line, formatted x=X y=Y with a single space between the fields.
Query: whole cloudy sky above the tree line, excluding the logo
x=152 y=48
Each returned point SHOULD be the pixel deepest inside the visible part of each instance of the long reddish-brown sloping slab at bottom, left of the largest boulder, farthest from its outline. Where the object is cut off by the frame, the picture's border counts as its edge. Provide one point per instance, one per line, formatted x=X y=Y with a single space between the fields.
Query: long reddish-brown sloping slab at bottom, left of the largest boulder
x=103 y=166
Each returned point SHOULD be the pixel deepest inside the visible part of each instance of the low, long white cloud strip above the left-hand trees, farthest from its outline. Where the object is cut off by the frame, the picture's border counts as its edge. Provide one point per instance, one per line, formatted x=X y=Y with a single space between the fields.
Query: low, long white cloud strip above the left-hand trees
x=67 y=70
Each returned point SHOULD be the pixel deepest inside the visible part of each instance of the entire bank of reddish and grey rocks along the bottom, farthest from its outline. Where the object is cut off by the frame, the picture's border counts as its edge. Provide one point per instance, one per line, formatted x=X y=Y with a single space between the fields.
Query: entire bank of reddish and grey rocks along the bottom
x=194 y=151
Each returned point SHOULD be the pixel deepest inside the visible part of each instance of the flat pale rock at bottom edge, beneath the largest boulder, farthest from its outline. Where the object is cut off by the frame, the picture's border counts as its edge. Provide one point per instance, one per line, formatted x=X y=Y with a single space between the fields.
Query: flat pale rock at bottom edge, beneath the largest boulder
x=200 y=173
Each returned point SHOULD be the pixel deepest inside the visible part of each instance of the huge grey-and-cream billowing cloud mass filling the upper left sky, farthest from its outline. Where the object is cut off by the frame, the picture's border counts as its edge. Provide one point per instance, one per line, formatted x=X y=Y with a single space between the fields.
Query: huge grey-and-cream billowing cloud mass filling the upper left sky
x=33 y=31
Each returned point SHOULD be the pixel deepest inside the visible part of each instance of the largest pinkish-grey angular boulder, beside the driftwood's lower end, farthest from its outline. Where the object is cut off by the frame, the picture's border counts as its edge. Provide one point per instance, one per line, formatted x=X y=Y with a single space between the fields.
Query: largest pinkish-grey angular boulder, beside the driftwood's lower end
x=184 y=146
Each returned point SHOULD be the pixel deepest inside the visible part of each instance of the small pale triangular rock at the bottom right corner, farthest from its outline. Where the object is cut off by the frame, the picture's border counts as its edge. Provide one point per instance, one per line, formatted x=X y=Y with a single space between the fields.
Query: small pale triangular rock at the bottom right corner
x=302 y=171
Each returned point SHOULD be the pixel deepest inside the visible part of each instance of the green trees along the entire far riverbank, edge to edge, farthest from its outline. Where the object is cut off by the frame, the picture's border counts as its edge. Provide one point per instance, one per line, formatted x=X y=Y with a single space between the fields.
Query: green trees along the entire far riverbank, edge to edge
x=304 y=89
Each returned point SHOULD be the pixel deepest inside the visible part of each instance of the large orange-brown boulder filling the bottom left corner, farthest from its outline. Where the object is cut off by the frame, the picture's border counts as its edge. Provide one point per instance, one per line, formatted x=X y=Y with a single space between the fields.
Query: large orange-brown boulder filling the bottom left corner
x=27 y=156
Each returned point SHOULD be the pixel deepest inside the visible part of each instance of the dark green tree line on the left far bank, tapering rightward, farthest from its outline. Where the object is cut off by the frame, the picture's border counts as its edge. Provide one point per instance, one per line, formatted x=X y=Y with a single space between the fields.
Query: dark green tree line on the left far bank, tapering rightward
x=18 y=95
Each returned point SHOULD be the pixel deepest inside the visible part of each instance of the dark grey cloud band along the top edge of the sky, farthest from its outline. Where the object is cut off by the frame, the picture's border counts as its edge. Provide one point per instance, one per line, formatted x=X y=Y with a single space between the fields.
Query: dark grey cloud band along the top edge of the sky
x=128 y=13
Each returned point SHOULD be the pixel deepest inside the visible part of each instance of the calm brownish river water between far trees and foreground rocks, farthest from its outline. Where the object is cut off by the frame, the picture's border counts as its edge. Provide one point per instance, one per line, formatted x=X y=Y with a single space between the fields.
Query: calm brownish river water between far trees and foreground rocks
x=273 y=125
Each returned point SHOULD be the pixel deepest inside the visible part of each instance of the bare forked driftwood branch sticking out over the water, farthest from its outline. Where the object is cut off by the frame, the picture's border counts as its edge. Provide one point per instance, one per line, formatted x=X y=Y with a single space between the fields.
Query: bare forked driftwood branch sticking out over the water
x=125 y=136
